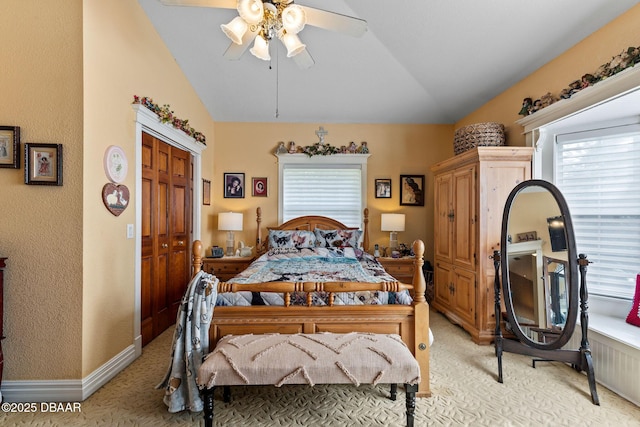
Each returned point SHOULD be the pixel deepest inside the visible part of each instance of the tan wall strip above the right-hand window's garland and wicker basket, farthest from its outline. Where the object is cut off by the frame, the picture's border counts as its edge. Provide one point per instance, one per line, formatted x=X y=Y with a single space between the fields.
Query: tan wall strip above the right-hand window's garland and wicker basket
x=584 y=57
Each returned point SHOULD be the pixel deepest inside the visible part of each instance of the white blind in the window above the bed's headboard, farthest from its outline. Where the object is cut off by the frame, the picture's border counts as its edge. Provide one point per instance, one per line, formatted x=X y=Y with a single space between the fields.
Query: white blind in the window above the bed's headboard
x=332 y=191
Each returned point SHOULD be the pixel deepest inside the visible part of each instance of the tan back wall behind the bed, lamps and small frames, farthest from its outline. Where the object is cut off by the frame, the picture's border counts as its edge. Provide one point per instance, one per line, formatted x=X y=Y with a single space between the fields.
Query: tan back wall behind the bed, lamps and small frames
x=395 y=150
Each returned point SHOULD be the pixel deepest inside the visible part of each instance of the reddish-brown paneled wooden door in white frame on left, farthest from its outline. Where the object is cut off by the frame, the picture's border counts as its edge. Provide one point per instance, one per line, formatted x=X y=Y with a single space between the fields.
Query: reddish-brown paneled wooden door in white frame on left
x=166 y=233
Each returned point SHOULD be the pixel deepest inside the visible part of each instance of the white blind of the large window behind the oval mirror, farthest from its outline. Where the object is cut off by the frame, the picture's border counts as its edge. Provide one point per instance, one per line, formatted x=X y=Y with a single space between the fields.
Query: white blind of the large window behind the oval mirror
x=598 y=172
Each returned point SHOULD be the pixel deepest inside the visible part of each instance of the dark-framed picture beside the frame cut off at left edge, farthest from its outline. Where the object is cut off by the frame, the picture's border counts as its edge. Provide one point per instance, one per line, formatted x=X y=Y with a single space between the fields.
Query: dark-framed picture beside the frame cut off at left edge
x=43 y=164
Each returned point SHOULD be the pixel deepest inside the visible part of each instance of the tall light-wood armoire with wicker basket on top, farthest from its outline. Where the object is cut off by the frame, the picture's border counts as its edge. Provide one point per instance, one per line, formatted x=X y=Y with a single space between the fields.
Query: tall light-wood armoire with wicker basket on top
x=470 y=191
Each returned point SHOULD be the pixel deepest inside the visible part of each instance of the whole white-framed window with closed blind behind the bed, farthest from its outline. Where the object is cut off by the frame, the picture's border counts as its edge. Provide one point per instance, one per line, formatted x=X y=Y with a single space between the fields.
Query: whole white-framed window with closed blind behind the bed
x=332 y=186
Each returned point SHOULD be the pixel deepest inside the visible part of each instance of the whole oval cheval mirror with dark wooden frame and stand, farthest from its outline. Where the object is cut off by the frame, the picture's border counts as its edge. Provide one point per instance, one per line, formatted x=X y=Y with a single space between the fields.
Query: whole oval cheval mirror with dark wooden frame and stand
x=540 y=286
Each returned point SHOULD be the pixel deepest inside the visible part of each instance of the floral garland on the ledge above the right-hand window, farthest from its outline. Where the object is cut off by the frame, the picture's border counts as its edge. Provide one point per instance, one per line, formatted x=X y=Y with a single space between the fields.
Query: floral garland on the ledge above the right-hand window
x=625 y=59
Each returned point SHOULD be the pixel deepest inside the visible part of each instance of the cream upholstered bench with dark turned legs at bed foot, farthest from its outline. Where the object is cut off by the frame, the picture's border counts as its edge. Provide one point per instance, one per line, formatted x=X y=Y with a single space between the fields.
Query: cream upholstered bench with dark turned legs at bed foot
x=323 y=358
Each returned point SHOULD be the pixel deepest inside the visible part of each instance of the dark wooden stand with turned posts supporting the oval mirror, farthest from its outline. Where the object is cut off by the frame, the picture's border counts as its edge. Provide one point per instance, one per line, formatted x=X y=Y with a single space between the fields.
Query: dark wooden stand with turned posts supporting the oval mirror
x=580 y=359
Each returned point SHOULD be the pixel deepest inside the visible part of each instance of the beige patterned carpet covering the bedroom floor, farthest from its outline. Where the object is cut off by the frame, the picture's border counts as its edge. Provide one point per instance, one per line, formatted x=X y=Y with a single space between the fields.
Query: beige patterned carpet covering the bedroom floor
x=463 y=381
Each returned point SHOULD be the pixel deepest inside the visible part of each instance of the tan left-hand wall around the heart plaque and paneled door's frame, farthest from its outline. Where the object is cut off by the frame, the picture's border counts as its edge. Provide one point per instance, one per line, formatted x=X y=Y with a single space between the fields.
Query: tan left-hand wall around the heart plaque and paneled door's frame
x=78 y=317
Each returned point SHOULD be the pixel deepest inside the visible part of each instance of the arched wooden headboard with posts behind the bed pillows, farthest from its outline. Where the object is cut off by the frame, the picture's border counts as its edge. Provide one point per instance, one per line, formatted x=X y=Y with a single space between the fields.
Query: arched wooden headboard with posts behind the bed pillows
x=310 y=223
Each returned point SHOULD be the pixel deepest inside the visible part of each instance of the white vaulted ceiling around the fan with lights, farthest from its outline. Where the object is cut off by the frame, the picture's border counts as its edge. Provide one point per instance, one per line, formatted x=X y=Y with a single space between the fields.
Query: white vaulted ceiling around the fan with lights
x=420 y=61
